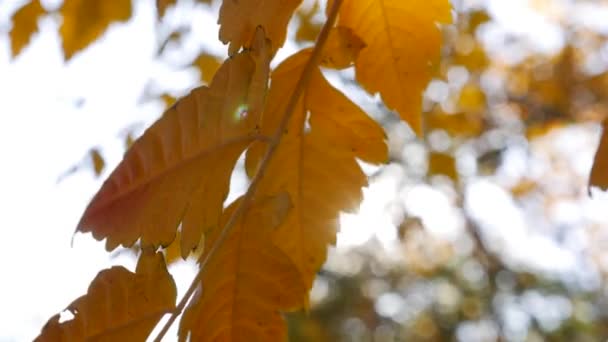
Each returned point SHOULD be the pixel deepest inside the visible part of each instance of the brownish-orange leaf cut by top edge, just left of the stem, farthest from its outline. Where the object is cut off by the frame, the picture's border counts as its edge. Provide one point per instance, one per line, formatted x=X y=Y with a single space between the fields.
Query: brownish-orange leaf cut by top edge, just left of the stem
x=239 y=20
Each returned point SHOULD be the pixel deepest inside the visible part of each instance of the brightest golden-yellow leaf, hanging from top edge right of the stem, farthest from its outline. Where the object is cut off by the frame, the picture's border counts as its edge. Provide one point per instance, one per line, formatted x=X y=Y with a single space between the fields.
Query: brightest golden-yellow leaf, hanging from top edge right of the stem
x=403 y=43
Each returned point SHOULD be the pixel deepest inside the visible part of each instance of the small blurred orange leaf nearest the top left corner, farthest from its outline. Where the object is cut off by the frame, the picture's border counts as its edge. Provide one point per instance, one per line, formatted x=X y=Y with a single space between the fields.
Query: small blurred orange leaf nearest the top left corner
x=25 y=24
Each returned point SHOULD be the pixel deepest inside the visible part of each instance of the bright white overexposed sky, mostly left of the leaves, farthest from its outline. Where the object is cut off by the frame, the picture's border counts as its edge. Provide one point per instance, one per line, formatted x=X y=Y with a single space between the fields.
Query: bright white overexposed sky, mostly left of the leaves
x=54 y=113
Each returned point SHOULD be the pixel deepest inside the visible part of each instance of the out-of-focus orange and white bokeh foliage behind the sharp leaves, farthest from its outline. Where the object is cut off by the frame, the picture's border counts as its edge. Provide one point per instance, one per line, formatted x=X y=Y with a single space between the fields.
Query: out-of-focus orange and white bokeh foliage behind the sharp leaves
x=491 y=234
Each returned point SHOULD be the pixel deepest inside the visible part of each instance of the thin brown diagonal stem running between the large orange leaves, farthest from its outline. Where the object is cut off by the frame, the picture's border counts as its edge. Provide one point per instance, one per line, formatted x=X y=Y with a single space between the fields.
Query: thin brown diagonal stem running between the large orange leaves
x=272 y=147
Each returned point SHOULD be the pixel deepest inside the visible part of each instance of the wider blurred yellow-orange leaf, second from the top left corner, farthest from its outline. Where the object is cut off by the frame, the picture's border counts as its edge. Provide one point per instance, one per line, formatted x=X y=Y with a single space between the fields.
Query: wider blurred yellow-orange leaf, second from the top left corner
x=86 y=20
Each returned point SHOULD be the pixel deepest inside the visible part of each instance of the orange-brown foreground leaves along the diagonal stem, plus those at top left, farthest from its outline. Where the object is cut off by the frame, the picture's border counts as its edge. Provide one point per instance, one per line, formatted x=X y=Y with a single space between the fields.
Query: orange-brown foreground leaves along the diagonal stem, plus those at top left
x=259 y=254
